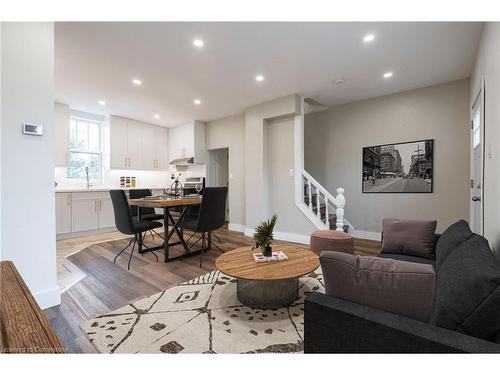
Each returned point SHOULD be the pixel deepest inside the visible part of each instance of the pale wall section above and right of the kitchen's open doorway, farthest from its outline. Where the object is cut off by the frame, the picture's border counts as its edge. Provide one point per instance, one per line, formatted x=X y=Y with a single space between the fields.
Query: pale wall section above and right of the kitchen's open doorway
x=230 y=132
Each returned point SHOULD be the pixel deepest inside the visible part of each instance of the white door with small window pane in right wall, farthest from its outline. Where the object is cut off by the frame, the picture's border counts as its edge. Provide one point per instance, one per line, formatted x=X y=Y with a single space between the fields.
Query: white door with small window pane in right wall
x=477 y=155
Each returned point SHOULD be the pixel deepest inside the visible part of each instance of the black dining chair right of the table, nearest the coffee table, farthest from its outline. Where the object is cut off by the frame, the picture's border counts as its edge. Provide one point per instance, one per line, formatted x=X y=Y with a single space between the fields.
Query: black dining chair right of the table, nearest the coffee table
x=212 y=216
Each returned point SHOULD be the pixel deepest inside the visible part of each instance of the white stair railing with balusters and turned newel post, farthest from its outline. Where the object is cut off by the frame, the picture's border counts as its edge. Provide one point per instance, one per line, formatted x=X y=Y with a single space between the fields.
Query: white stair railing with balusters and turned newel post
x=317 y=203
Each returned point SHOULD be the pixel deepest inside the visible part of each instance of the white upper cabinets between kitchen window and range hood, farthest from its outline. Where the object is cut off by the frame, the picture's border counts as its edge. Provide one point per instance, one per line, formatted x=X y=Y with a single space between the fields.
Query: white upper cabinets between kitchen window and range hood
x=137 y=145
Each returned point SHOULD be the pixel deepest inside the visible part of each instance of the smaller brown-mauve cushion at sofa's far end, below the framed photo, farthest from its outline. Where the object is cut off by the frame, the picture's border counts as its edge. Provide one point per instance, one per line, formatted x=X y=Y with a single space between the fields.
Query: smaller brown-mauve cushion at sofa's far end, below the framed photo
x=409 y=237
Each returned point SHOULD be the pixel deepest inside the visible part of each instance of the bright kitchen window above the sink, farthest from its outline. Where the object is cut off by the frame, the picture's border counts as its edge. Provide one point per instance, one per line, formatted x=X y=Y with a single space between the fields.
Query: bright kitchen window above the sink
x=85 y=149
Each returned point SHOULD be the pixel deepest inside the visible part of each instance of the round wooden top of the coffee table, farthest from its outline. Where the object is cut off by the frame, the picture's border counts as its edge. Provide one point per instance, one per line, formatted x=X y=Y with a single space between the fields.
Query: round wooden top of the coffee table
x=239 y=263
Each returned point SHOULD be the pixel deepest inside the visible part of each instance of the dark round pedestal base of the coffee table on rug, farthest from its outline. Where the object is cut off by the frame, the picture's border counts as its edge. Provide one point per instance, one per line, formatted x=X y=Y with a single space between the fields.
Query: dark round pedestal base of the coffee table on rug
x=267 y=294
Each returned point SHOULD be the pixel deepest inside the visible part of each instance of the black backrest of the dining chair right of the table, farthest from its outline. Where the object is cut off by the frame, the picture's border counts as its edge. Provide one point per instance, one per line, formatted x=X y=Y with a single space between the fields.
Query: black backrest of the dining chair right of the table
x=212 y=214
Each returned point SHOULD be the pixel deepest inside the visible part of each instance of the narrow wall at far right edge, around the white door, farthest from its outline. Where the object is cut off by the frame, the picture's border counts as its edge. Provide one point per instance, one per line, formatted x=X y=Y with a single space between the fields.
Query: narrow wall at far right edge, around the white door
x=488 y=64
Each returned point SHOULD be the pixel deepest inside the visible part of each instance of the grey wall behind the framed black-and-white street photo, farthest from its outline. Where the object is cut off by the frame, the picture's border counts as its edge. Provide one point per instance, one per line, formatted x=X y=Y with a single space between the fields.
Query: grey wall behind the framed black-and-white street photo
x=333 y=152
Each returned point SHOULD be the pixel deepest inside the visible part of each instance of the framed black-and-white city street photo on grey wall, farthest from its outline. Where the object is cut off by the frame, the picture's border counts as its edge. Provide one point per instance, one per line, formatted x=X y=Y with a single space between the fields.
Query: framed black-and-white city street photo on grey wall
x=399 y=167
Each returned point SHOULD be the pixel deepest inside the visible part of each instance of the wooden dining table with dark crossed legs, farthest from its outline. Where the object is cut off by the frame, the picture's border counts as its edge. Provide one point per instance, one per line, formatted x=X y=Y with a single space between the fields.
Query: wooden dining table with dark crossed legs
x=171 y=225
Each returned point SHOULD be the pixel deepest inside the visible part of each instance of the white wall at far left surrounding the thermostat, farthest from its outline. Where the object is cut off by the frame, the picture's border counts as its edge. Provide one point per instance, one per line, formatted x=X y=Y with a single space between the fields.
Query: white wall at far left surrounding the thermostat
x=28 y=206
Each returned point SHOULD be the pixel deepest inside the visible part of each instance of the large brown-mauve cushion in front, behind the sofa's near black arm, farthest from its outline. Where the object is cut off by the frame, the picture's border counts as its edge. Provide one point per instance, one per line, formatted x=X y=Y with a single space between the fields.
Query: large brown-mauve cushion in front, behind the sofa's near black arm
x=399 y=287
